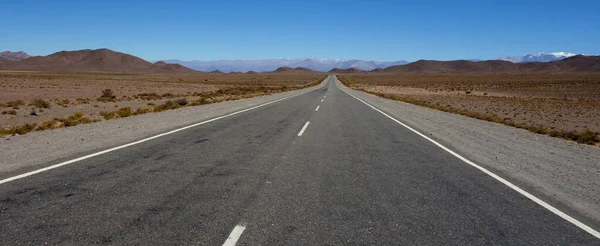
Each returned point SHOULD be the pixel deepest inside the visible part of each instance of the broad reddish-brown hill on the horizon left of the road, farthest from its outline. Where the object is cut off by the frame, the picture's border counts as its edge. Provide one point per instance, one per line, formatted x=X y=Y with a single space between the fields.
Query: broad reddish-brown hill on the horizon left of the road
x=100 y=60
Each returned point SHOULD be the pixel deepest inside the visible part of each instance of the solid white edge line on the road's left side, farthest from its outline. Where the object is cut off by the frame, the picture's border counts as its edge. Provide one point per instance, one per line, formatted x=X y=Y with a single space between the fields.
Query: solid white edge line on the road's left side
x=138 y=142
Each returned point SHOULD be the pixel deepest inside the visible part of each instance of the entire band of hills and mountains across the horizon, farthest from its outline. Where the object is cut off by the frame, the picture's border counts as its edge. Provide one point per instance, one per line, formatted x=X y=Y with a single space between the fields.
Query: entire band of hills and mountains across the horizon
x=105 y=60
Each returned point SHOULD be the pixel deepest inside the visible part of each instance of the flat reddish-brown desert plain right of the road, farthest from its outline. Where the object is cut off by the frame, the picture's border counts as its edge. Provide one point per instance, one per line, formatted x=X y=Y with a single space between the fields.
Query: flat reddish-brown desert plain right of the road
x=560 y=105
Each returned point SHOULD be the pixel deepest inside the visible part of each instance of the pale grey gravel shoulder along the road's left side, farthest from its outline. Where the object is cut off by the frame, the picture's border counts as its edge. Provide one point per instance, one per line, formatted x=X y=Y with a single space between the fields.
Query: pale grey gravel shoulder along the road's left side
x=19 y=154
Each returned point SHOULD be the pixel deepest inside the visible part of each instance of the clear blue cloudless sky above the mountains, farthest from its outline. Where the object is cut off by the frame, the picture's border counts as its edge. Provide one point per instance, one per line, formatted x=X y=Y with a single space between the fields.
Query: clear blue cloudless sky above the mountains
x=371 y=30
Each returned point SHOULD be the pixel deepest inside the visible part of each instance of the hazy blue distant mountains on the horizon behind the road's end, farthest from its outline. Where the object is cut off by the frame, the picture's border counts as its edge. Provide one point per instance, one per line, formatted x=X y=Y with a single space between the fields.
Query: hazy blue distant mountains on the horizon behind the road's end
x=318 y=64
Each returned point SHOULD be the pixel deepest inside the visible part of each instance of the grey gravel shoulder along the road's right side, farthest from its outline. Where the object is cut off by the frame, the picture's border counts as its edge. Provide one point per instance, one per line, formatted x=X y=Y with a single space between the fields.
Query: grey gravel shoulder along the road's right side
x=563 y=173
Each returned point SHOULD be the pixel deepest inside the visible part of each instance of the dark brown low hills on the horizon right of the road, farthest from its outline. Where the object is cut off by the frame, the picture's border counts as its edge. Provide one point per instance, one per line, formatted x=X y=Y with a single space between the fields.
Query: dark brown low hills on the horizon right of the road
x=575 y=64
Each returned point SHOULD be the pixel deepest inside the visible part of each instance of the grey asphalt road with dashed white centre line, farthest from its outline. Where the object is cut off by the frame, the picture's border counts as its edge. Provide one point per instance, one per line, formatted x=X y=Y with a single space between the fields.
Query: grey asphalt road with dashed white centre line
x=353 y=177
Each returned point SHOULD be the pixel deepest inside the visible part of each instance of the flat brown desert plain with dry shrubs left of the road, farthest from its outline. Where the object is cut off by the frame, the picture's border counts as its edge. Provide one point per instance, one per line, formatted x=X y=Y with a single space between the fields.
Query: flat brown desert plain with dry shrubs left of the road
x=33 y=101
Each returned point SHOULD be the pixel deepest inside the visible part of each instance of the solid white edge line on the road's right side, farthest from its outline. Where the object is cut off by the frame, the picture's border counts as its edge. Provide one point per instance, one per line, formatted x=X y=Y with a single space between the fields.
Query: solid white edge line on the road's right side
x=493 y=175
